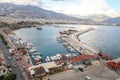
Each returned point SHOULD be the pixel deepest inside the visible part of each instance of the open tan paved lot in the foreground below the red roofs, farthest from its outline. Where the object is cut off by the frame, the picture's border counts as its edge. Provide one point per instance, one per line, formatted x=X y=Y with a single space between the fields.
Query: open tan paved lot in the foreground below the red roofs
x=95 y=72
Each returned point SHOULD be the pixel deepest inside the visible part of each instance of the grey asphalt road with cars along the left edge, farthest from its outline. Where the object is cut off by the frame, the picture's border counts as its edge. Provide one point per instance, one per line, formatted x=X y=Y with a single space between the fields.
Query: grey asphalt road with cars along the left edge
x=11 y=61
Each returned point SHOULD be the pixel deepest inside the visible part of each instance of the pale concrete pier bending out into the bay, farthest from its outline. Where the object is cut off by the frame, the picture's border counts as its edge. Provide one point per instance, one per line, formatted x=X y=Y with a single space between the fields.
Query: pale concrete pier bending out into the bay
x=73 y=41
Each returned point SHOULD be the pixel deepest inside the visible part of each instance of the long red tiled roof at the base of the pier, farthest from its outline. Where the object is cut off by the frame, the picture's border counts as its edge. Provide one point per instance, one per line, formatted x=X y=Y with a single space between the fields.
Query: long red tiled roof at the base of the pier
x=82 y=57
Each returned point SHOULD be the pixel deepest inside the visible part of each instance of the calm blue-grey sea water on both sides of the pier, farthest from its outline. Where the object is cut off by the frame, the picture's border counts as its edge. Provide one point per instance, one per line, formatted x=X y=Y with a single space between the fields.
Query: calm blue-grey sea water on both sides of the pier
x=103 y=38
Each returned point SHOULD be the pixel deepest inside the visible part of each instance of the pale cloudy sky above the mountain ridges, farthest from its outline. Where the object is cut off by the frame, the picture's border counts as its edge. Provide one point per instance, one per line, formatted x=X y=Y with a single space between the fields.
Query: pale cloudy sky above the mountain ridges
x=75 y=7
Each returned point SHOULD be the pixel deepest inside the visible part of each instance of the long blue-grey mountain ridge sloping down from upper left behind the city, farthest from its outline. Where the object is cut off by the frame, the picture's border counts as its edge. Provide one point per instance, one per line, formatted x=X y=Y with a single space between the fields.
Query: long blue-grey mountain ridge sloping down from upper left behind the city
x=28 y=11
